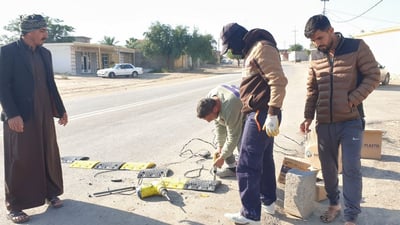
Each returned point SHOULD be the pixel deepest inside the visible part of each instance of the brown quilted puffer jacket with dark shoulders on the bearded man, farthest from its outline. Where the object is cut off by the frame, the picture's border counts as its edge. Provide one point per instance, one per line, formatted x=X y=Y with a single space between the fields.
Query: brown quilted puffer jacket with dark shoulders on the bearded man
x=349 y=76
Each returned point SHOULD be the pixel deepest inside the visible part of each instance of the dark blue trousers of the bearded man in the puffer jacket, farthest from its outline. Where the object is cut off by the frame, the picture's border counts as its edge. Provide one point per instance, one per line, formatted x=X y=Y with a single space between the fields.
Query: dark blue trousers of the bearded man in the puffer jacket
x=349 y=134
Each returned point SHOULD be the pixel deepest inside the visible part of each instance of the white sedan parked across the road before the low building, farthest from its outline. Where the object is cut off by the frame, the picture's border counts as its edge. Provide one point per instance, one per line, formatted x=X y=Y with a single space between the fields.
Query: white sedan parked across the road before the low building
x=120 y=69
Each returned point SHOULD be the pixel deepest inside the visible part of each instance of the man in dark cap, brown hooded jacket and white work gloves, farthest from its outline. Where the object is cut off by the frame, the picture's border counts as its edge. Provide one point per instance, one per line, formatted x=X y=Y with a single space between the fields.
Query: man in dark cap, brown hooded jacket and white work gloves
x=262 y=92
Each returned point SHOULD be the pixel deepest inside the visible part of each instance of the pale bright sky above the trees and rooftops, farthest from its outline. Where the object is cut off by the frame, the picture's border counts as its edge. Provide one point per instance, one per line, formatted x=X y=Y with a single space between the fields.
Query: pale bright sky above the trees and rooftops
x=123 y=19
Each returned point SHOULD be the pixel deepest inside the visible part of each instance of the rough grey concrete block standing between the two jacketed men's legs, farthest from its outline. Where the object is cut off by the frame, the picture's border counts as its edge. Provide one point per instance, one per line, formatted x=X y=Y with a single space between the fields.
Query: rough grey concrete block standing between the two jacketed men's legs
x=300 y=193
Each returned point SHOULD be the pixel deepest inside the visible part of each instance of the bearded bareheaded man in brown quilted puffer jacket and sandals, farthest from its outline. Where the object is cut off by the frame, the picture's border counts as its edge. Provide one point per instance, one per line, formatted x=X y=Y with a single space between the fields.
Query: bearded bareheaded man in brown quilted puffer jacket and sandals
x=342 y=73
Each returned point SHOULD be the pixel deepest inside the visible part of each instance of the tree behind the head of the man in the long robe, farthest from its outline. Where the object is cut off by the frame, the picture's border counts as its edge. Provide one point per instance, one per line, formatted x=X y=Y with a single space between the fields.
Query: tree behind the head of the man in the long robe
x=57 y=31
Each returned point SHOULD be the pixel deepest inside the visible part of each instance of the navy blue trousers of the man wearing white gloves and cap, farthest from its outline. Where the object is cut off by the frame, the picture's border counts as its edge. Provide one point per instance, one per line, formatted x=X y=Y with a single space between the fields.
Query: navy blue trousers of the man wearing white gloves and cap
x=256 y=168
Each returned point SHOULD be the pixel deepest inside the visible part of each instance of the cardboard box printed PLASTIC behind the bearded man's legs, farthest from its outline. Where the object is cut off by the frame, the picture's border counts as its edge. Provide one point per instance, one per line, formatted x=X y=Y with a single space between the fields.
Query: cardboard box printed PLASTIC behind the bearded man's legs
x=372 y=144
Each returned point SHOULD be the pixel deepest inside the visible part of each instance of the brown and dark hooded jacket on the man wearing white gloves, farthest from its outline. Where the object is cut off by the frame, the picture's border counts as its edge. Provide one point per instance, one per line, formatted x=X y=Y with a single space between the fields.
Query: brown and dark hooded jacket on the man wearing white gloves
x=263 y=85
